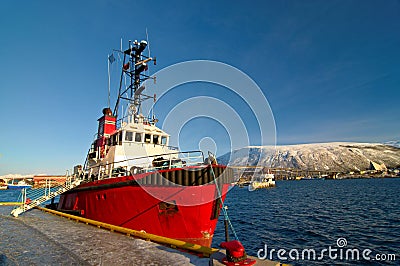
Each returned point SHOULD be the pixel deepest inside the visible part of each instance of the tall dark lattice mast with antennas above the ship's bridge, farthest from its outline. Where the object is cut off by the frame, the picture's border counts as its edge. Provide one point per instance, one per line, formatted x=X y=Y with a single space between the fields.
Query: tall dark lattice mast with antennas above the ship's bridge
x=133 y=65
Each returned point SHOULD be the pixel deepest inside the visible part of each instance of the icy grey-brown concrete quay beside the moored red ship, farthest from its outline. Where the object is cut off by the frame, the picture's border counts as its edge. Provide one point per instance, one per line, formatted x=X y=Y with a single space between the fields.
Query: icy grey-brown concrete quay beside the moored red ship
x=88 y=245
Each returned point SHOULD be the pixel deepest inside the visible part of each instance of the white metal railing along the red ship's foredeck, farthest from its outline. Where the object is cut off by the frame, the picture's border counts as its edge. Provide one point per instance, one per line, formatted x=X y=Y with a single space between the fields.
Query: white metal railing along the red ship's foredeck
x=145 y=164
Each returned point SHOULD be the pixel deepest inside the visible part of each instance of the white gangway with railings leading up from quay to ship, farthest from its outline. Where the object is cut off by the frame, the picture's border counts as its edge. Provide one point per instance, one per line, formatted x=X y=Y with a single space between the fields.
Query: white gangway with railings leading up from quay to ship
x=30 y=198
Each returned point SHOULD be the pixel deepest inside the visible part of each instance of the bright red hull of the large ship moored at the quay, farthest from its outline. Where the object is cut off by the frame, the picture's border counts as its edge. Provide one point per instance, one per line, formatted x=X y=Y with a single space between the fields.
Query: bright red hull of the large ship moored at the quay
x=189 y=213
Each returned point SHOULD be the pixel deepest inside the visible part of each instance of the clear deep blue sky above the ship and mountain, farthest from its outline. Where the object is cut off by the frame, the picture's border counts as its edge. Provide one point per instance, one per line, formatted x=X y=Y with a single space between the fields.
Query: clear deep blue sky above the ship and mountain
x=329 y=69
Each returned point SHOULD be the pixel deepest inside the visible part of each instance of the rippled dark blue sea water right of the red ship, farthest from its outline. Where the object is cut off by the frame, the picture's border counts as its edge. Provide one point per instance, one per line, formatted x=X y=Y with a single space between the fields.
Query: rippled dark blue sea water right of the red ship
x=317 y=214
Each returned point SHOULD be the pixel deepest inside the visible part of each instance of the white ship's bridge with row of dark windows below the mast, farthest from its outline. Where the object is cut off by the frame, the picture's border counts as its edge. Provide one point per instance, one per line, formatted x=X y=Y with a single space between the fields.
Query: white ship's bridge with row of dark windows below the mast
x=137 y=143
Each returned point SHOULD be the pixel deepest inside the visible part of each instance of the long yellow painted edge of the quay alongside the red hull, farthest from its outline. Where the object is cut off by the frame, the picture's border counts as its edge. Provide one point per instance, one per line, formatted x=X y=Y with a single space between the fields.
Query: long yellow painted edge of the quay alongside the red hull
x=174 y=243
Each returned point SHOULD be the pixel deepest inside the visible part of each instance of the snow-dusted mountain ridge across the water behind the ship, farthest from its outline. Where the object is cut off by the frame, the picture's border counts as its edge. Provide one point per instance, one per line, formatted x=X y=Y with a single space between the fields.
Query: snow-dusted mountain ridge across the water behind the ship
x=335 y=156
